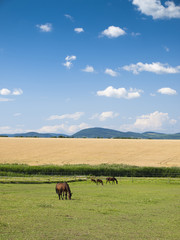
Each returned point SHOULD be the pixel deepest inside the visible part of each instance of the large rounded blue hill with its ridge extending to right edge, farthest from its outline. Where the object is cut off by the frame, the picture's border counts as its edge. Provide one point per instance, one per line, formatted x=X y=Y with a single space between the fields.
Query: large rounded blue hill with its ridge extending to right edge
x=109 y=133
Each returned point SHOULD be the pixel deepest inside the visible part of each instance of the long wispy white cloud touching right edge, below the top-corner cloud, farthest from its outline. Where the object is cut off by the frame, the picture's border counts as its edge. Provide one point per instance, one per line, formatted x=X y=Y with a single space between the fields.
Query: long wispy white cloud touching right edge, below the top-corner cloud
x=157 y=67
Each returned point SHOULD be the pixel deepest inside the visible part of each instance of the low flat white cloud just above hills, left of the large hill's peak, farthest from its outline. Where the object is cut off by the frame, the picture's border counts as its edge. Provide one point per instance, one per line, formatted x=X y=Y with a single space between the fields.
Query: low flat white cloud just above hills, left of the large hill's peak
x=63 y=127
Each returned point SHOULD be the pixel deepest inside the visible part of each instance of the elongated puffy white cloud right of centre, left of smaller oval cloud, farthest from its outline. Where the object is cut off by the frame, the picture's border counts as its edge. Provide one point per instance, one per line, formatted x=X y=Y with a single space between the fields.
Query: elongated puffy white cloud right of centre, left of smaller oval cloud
x=120 y=93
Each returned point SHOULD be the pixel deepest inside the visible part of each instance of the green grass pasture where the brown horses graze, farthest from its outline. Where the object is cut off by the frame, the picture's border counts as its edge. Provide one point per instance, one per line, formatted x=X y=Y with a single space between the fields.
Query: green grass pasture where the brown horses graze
x=142 y=209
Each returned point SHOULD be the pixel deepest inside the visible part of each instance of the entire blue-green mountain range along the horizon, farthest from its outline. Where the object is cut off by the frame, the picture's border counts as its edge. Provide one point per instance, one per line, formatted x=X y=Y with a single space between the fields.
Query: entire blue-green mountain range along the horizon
x=98 y=133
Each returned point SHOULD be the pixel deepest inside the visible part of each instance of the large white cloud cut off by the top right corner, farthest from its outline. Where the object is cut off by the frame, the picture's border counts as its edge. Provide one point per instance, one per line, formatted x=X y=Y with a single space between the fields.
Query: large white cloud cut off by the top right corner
x=155 y=9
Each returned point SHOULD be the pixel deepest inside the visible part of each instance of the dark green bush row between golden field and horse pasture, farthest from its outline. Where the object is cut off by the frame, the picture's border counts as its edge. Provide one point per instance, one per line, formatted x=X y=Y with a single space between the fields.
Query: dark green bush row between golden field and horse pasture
x=98 y=170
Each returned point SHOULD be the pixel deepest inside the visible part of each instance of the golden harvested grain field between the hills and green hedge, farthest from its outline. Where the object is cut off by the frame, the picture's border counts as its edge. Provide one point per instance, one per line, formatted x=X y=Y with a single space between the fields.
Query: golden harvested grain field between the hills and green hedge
x=60 y=151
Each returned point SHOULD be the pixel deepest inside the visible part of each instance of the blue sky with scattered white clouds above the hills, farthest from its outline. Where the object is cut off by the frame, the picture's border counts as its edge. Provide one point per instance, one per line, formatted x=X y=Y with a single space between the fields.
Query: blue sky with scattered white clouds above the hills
x=67 y=65
